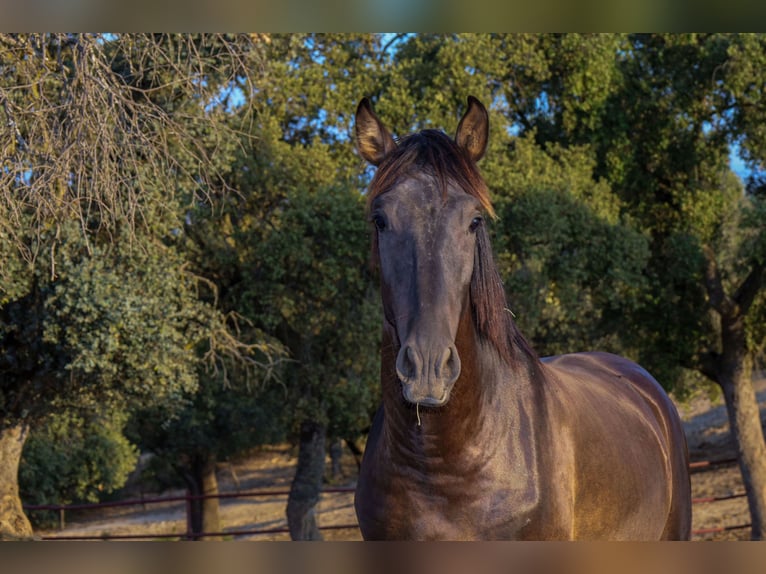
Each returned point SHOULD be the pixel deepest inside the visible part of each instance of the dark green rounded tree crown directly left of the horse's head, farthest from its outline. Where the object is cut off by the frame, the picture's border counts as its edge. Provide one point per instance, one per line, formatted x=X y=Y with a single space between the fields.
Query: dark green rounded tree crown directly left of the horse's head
x=311 y=288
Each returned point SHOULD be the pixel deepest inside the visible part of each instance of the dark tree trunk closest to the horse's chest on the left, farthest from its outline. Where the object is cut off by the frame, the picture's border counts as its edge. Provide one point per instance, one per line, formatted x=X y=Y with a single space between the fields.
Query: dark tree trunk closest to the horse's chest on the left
x=307 y=483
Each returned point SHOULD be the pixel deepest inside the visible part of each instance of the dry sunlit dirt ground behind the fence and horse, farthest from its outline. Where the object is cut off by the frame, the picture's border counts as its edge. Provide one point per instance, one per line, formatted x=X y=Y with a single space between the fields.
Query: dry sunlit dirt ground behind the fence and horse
x=272 y=468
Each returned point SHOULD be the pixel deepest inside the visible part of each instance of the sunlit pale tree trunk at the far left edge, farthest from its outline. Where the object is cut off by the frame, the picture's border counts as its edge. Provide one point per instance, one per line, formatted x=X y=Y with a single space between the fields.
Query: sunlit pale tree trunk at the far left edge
x=14 y=524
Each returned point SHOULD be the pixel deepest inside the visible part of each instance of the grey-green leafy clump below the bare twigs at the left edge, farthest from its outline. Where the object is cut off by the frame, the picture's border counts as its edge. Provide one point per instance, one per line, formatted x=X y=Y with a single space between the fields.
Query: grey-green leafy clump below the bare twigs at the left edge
x=117 y=325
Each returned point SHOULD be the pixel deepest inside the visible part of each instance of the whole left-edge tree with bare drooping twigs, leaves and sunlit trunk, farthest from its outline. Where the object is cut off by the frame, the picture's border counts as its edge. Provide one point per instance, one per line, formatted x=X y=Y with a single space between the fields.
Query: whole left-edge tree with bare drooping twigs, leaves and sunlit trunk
x=102 y=147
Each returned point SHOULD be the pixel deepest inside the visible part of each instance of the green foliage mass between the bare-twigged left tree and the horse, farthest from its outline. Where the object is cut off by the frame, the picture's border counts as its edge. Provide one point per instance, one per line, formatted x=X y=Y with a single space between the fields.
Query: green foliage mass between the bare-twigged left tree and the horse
x=288 y=263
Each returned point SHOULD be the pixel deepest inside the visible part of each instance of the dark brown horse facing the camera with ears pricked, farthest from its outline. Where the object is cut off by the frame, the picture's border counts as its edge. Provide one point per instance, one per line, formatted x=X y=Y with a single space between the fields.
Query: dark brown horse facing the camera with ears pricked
x=477 y=438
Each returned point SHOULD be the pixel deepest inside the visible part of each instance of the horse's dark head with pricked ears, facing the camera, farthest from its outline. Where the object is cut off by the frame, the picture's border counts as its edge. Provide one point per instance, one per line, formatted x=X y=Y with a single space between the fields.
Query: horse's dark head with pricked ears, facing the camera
x=427 y=202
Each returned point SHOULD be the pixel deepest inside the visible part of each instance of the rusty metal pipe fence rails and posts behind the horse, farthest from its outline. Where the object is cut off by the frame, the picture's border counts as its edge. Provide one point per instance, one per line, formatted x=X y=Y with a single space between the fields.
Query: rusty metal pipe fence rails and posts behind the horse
x=697 y=466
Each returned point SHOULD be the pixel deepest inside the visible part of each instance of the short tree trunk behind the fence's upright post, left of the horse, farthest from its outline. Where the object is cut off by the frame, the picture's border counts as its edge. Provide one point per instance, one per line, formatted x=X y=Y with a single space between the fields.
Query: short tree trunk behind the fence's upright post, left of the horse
x=201 y=480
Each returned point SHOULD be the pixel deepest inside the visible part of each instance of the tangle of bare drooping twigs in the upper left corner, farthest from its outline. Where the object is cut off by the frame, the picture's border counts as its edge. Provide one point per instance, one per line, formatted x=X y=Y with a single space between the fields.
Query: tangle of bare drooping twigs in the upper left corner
x=106 y=130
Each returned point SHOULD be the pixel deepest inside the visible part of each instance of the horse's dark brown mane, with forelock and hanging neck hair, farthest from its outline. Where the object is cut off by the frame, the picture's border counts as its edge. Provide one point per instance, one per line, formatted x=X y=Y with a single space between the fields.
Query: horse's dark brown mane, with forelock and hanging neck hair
x=435 y=153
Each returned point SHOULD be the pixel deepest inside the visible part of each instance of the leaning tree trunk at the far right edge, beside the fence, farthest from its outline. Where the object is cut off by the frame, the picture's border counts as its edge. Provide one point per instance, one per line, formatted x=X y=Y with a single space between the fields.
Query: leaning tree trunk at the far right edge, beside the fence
x=745 y=422
